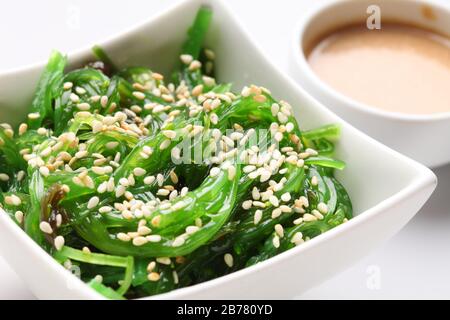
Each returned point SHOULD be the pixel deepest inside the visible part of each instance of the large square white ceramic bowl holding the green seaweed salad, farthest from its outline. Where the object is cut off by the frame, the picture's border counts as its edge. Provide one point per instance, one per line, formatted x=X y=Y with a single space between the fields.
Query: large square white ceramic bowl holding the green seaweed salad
x=387 y=188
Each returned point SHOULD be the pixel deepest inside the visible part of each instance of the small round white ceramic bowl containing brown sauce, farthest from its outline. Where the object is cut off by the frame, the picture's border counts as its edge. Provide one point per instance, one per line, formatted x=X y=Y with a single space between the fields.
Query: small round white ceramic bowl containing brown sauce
x=422 y=137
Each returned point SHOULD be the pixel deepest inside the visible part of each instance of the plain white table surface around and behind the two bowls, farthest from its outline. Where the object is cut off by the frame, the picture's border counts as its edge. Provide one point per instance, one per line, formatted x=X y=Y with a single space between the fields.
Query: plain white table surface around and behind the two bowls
x=415 y=264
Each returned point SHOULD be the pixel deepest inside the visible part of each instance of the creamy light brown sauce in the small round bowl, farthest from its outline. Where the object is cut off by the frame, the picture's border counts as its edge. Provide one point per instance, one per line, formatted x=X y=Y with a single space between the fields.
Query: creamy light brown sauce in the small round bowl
x=398 y=68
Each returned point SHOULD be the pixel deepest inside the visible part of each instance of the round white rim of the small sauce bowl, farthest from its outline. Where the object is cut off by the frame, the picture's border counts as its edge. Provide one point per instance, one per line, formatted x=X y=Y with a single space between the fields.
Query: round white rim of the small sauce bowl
x=302 y=65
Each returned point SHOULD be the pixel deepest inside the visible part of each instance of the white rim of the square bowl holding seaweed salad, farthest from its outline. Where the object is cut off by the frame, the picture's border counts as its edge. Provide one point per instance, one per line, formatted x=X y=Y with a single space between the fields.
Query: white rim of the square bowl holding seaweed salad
x=421 y=178
